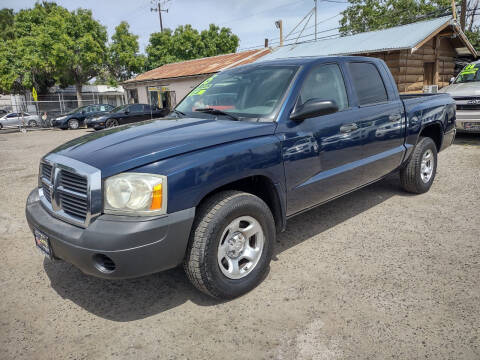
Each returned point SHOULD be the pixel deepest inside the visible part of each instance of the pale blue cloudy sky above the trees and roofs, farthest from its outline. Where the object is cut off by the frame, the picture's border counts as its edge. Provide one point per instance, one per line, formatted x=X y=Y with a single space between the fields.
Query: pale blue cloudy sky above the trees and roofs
x=251 y=20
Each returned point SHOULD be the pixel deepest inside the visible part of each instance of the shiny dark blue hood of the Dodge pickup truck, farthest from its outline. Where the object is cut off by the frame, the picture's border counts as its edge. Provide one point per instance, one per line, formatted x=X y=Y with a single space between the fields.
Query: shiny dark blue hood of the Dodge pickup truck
x=127 y=147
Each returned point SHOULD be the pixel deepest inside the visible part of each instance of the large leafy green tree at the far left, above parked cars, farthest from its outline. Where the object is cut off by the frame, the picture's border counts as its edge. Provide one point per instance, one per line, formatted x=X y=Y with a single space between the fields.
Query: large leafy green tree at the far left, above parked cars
x=52 y=44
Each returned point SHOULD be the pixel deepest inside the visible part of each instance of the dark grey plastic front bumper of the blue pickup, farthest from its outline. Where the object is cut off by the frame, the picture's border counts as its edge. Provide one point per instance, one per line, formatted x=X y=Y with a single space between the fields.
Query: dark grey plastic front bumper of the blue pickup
x=137 y=245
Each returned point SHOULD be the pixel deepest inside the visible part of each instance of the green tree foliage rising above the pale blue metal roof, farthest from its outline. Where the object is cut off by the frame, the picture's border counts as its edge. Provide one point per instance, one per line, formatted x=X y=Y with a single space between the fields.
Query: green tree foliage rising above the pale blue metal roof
x=368 y=15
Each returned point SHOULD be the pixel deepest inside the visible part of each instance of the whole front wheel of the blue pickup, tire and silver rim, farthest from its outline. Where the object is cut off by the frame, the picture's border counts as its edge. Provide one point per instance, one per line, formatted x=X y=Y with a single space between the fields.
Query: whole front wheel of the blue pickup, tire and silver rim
x=230 y=245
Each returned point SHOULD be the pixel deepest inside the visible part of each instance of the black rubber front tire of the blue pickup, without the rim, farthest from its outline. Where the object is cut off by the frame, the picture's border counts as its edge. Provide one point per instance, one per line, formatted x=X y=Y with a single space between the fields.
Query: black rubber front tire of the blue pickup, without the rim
x=213 y=217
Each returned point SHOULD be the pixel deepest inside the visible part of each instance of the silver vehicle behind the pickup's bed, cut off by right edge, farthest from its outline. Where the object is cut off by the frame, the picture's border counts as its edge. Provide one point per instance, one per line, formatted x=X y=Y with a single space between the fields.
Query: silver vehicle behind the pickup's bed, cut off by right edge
x=465 y=90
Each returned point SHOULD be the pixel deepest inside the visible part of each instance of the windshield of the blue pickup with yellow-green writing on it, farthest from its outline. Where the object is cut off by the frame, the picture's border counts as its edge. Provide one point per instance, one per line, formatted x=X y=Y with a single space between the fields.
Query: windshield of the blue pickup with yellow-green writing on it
x=251 y=92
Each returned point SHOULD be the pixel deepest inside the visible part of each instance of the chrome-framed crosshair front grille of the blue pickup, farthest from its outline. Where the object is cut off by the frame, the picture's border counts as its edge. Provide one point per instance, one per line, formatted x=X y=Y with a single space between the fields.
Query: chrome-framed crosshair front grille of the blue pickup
x=70 y=190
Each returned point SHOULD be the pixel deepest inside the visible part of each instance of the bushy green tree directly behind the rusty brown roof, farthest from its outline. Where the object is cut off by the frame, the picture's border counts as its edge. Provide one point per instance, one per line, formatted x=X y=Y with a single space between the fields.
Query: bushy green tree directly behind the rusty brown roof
x=186 y=43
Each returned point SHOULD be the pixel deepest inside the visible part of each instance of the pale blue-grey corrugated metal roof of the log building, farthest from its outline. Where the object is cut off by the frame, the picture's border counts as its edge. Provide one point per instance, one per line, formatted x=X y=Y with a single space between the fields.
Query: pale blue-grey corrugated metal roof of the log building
x=395 y=38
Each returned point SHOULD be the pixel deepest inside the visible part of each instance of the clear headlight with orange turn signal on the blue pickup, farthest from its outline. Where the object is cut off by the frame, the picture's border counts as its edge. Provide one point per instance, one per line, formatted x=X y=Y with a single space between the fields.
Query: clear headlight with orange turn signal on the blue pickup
x=136 y=194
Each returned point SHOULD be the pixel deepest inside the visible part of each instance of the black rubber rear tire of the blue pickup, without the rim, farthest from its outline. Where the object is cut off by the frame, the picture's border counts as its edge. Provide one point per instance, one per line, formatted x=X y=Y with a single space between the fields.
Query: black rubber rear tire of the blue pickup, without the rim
x=411 y=174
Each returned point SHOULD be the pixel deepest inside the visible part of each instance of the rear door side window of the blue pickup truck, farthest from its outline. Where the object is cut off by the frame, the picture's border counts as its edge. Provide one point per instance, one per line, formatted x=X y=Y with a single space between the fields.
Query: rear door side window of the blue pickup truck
x=367 y=83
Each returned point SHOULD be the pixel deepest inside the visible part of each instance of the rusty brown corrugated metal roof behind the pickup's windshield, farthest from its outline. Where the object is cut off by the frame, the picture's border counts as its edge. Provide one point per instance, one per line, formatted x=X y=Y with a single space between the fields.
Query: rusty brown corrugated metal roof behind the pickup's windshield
x=201 y=66
